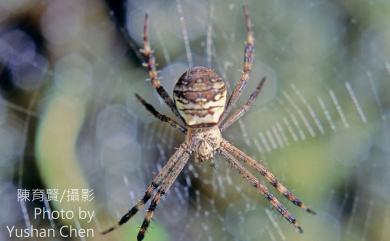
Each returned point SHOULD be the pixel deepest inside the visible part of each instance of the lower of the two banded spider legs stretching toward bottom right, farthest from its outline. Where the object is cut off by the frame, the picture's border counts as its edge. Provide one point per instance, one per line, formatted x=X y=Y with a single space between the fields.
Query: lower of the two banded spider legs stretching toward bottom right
x=261 y=188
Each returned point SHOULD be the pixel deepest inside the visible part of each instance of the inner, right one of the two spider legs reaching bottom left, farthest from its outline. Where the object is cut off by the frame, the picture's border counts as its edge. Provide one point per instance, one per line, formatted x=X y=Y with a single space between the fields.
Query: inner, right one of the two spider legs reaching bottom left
x=170 y=179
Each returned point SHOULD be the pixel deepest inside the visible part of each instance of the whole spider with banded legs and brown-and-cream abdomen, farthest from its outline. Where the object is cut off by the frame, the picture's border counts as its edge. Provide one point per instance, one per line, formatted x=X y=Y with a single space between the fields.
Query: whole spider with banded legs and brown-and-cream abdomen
x=202 y=106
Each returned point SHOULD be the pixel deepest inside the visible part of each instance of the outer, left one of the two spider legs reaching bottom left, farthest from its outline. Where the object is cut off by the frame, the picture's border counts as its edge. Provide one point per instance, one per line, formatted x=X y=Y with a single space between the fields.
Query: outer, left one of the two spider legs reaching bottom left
x=156 y=182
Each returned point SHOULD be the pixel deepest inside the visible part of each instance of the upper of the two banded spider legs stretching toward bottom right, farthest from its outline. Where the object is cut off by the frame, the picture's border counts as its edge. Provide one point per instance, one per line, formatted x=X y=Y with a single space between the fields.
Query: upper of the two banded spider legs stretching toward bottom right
x=266 y=173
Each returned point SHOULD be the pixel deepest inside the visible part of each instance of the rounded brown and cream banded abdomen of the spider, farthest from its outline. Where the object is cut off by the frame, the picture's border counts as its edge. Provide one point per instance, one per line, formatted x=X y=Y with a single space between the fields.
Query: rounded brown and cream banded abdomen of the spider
x=200 y=96
